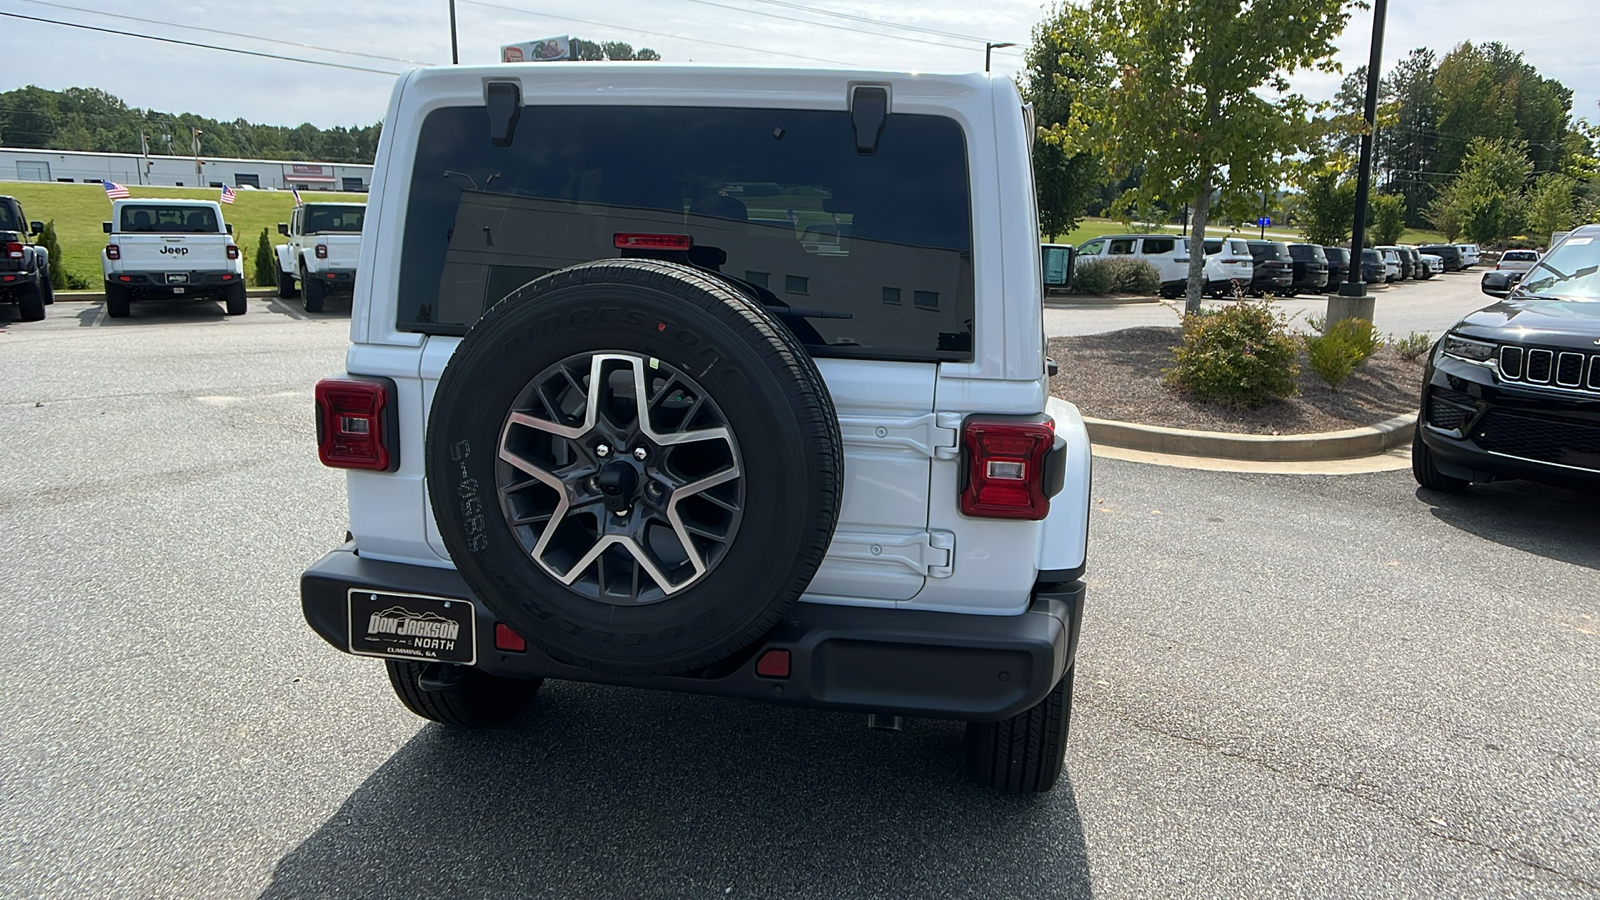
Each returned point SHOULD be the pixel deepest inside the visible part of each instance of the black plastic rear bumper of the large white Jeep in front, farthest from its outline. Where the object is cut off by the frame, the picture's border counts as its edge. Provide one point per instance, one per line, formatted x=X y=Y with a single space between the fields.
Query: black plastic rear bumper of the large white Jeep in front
x=860 y=659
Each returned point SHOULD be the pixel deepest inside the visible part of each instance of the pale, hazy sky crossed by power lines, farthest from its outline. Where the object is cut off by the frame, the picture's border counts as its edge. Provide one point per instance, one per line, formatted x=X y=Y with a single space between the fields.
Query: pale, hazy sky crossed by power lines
x=943 y=36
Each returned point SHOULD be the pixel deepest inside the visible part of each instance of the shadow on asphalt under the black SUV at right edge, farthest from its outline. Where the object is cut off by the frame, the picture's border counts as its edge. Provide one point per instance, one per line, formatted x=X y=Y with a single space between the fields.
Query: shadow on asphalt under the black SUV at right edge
x=1535 y=518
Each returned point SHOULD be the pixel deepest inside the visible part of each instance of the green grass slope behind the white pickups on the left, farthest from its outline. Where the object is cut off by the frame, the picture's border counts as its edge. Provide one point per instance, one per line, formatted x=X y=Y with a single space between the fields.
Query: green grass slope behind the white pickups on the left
x=81 y=209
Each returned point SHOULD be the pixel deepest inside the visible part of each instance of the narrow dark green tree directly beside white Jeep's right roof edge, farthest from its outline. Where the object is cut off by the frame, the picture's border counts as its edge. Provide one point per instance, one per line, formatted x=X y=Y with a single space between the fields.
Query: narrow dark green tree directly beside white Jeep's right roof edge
x=1060 y=65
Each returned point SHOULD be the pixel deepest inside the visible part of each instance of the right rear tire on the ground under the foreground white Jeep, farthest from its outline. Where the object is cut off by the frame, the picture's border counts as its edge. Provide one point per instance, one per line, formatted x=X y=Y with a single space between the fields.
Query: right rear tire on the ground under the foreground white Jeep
x=1025 y=753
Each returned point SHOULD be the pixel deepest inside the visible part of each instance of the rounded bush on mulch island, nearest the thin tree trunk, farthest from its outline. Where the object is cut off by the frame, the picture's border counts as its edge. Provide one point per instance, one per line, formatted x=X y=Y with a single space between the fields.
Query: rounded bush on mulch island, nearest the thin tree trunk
x=1239 y=356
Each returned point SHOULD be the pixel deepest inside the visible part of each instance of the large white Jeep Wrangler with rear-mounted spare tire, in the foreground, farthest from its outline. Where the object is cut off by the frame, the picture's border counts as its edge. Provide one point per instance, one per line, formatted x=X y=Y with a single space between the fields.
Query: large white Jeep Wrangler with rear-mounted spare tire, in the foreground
x=710 y=380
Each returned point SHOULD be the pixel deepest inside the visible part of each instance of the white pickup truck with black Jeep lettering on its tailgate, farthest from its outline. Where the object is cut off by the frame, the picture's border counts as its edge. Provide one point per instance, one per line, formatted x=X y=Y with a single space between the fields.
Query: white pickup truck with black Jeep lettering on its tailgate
x=170 y=249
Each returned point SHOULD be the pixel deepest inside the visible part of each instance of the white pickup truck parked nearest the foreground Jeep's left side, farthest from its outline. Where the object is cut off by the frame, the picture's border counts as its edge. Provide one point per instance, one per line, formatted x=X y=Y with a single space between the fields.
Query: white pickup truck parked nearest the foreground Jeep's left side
x=324 y=241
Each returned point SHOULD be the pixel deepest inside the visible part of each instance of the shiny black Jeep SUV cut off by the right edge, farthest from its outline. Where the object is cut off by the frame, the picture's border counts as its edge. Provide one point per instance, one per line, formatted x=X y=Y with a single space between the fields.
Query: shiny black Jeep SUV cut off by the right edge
x=1514 y=390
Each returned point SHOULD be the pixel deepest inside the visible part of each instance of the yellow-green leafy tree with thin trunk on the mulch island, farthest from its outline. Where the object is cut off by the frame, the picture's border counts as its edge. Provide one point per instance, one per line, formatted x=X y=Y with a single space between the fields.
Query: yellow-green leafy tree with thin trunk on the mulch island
x=1199 y=98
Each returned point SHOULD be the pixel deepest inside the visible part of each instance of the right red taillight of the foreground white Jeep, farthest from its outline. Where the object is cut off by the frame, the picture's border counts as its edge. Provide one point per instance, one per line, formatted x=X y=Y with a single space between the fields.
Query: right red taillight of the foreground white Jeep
x=1006 y=468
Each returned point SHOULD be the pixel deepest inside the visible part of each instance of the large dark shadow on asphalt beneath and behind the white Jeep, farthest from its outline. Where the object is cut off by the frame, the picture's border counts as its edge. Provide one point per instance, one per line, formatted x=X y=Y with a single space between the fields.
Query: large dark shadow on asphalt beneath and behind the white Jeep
x=628 y=794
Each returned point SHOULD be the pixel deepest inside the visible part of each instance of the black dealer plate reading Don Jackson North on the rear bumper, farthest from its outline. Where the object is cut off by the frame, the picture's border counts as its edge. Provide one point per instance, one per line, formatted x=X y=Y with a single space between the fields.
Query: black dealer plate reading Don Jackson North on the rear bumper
x=412 y=627
